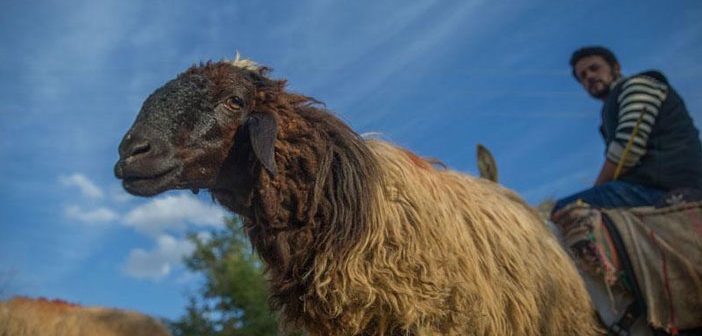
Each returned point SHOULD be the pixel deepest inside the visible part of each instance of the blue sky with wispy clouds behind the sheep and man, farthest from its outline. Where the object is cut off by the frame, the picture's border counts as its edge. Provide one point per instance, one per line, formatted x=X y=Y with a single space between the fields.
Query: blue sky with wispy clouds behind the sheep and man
x=434 y=76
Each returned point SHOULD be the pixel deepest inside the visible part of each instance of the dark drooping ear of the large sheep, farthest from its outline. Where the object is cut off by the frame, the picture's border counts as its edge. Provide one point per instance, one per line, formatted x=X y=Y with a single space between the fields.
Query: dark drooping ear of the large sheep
x=263 y=129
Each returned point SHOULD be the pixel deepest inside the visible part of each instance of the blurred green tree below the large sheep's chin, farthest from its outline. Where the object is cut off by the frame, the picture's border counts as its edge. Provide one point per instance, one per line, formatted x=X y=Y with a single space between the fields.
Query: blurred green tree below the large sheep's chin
x=233 y=298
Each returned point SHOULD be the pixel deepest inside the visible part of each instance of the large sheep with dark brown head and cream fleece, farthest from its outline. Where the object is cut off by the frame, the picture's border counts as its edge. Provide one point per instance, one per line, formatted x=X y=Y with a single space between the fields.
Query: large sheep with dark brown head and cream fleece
x=360 y=237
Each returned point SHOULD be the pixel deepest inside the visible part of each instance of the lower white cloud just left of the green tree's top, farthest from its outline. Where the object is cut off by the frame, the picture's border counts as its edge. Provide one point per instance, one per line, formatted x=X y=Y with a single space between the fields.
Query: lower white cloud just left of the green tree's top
x=160 y=262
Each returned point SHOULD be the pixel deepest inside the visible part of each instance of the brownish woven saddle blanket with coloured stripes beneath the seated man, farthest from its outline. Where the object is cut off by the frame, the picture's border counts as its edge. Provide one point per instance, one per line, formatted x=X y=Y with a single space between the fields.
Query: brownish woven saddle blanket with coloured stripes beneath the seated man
x=664 y=249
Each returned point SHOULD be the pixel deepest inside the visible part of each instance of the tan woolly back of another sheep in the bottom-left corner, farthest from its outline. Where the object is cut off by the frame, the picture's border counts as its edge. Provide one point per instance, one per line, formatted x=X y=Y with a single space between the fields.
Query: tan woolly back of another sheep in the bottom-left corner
x=23 y=316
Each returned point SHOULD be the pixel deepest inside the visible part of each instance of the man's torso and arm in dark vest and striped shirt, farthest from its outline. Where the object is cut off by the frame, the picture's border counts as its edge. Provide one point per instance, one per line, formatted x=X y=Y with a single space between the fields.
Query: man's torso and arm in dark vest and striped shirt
x=665 y=150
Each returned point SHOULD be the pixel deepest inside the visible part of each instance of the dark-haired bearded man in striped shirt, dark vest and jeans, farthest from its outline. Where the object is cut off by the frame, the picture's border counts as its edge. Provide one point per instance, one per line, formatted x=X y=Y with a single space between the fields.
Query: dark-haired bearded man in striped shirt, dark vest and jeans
x=652 y=146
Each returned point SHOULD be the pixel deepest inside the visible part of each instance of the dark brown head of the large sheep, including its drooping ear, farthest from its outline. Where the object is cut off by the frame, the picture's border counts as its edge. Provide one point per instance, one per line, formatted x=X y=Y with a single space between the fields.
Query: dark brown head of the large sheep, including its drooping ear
x=186 y=129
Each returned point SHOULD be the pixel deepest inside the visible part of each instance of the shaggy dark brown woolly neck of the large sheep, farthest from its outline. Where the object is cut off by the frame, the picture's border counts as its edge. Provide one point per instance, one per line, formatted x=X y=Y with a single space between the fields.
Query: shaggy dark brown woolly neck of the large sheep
x=315 y=206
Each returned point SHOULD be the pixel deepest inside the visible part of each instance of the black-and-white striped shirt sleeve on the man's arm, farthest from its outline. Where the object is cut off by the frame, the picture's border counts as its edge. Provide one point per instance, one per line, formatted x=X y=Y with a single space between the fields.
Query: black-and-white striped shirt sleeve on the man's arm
x=639 y=103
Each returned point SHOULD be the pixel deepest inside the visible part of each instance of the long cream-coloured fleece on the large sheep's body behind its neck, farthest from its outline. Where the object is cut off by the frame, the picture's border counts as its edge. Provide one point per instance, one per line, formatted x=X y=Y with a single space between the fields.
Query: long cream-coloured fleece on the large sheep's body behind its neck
x=466 y=256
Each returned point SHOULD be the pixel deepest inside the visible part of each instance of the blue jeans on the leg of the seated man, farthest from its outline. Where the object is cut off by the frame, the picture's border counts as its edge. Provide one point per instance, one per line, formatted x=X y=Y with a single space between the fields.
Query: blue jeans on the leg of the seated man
x=614 y=194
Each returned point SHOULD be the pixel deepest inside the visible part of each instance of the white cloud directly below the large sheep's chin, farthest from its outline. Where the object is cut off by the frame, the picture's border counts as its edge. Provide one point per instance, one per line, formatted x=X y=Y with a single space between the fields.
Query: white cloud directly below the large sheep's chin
x=174 y=212
